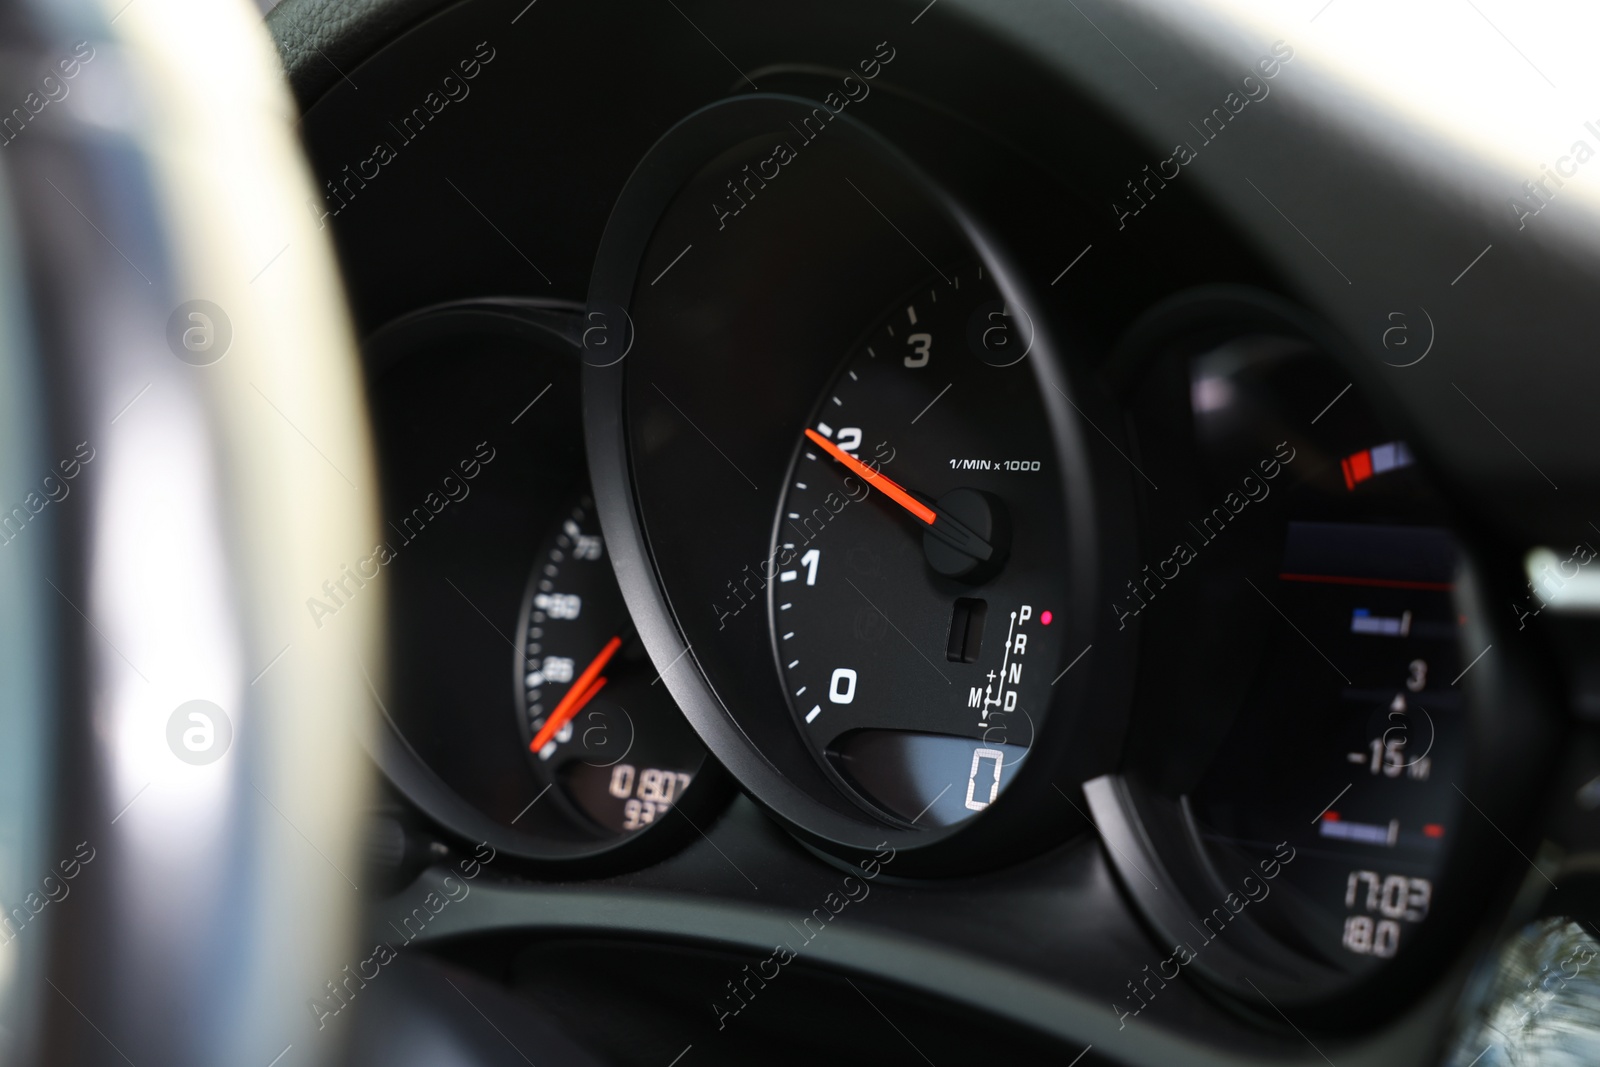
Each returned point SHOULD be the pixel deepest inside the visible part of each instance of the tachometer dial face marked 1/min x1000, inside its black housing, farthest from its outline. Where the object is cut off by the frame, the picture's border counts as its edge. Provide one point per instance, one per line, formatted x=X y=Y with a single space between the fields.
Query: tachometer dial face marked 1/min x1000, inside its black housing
x=916 y=559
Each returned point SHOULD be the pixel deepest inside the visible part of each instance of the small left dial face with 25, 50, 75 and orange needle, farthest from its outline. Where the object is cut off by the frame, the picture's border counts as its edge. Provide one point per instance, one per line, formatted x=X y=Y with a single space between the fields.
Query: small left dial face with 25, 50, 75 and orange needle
x=601 y=730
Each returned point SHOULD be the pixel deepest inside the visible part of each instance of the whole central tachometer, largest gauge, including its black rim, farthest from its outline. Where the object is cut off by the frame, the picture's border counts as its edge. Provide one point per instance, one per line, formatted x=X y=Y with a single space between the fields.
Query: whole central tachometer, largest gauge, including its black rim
x=862 y=500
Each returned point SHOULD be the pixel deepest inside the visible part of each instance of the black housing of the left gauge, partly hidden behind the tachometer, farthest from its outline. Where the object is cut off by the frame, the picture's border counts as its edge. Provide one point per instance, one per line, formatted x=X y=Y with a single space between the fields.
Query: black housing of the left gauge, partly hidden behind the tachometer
x=478 y=422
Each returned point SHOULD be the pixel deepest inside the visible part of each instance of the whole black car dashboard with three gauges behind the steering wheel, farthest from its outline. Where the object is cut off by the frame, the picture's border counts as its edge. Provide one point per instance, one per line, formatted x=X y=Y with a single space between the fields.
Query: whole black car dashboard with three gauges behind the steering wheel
x=962 y=533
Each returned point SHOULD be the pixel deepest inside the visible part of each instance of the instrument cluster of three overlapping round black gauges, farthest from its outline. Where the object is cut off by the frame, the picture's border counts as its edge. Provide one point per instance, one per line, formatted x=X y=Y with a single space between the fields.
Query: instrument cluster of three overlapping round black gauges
x=838 y=498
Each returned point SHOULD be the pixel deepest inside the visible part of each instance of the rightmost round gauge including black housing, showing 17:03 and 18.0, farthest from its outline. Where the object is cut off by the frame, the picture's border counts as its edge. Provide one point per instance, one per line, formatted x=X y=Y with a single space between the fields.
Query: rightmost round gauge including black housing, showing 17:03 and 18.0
x=1338 y=698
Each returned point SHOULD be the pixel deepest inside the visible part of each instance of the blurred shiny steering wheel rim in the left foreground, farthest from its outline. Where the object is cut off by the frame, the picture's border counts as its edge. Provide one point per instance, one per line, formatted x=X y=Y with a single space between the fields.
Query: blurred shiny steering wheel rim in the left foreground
x=183 y=463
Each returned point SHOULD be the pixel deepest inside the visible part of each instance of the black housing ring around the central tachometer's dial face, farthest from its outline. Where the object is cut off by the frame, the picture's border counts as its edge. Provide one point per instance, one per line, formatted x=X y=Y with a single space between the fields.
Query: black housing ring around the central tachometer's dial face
x=706 y=343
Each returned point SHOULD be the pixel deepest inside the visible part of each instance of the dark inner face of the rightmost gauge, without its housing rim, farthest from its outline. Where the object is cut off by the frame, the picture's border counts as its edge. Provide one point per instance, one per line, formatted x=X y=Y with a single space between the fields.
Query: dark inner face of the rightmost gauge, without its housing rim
x=1348 y=721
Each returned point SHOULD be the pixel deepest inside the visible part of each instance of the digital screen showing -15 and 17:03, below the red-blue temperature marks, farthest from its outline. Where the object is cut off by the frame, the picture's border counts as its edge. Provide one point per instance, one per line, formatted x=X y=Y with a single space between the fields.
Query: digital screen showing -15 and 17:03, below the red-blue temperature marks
x=1350 y=740
